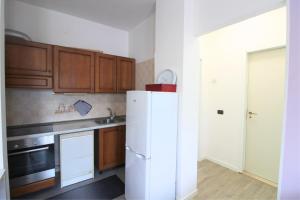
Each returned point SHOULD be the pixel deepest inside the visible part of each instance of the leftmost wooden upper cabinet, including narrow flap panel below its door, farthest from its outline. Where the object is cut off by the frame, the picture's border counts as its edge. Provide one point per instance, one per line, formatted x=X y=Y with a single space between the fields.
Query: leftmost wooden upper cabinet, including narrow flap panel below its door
x=28 y=64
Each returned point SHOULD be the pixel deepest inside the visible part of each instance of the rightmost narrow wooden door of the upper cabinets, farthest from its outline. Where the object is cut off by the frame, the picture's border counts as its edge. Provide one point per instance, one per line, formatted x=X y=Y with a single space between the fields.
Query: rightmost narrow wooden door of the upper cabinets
x=125 y=74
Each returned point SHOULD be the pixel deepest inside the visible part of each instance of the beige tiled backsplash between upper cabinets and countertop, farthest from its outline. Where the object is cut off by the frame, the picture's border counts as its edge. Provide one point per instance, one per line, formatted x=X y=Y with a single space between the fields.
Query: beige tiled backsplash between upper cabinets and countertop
x=38 y=106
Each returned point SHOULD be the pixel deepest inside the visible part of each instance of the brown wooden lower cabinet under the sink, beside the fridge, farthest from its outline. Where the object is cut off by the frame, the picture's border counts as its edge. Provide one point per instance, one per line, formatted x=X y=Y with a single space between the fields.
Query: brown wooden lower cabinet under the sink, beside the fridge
x=110 y=147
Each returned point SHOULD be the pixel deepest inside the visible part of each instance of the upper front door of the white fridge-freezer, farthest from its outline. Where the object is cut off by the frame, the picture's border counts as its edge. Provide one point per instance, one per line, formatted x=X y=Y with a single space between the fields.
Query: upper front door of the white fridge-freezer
x=138 y=120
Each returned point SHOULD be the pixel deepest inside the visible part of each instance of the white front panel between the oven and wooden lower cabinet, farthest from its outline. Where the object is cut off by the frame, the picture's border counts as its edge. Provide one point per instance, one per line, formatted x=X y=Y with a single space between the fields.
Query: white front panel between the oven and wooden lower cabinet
x=77 y=157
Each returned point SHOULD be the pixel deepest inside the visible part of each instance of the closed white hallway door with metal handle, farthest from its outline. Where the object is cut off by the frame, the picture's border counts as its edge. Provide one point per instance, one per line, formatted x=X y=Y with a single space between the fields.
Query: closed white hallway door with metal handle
x=265 y=113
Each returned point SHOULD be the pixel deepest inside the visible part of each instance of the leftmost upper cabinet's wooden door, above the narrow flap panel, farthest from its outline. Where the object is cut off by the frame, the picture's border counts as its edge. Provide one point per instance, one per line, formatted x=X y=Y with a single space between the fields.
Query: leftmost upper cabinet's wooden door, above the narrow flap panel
x=28 y=58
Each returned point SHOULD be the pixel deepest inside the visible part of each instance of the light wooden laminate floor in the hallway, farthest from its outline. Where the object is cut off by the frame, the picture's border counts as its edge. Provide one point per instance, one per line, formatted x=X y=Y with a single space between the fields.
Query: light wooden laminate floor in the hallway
x=218 y=183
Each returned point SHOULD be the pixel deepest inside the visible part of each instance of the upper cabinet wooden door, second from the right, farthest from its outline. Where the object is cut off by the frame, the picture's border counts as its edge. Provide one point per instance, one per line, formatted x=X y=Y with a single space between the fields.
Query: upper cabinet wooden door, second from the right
x=106 y=73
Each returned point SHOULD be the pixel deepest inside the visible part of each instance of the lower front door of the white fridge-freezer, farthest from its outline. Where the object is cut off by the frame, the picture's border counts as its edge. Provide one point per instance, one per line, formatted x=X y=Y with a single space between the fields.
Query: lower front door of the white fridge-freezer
x=136 y=176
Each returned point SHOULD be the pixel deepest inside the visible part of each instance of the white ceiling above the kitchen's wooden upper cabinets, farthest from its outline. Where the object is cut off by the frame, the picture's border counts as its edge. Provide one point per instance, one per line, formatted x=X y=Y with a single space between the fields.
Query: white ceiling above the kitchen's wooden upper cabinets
x=121 y=14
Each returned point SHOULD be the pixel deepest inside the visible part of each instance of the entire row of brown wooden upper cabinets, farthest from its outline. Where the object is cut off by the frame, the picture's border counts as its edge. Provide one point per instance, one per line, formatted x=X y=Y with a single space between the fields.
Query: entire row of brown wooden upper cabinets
x=67 y=70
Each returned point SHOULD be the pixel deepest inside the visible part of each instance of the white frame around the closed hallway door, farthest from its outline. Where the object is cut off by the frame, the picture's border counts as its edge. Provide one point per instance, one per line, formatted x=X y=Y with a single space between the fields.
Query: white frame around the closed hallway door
x=246 y=107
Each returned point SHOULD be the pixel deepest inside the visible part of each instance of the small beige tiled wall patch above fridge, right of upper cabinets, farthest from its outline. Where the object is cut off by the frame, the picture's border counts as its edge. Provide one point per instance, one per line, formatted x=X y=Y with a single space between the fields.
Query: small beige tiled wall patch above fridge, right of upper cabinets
x=144 y=74
